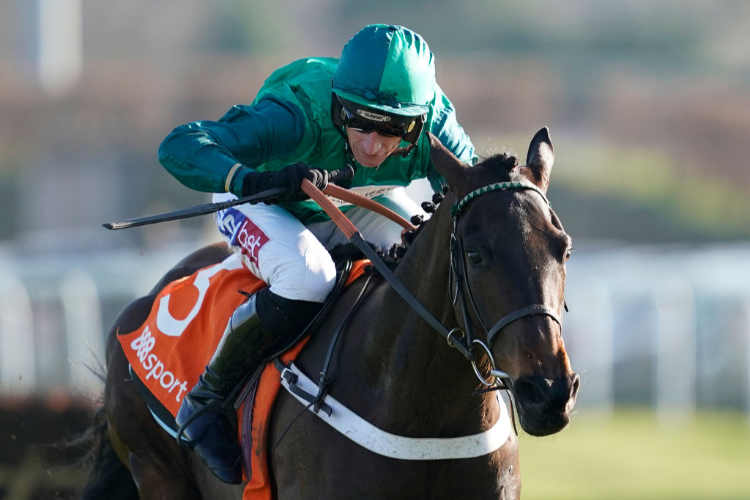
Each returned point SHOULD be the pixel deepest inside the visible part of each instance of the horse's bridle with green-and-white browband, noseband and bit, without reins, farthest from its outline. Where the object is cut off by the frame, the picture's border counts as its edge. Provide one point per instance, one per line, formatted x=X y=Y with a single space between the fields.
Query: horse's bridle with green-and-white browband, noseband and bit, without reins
x=458 y=282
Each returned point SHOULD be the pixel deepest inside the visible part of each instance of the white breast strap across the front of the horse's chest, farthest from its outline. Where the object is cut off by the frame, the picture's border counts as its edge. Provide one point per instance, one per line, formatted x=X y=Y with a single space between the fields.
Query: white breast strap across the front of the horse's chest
x=390 y=445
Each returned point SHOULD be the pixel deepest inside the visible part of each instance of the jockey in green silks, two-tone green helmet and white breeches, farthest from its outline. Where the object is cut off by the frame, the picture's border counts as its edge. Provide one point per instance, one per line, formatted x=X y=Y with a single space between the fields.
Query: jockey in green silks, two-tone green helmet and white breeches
x=367 y=109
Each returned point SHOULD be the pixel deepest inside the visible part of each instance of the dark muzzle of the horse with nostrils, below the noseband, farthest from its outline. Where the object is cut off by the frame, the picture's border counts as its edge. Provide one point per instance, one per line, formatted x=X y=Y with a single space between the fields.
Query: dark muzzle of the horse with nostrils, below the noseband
x=545 y=405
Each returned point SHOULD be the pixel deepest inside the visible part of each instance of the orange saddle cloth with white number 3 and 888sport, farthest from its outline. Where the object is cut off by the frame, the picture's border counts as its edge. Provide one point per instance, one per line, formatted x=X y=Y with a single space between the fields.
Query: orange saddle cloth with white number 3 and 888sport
x=170 y=350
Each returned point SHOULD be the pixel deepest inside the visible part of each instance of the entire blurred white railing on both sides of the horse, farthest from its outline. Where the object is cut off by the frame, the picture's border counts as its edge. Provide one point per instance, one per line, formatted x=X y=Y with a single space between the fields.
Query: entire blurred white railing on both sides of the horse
x=661 y=326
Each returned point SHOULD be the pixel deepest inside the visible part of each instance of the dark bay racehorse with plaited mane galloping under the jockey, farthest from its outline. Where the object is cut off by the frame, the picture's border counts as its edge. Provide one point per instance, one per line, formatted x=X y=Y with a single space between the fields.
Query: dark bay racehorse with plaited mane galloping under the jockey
x=391 y=367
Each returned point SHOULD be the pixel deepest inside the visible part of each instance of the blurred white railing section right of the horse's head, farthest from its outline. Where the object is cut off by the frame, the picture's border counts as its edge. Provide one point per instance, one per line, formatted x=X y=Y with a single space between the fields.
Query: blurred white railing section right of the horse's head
x=663 y=326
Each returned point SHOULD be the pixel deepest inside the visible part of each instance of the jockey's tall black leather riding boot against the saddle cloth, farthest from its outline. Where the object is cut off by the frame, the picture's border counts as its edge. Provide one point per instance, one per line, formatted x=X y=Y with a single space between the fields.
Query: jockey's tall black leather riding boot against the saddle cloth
x=257 y=329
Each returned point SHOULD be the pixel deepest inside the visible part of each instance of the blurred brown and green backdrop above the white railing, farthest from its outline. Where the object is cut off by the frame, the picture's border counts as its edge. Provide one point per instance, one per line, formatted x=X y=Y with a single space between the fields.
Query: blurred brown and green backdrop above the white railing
x=646 y=101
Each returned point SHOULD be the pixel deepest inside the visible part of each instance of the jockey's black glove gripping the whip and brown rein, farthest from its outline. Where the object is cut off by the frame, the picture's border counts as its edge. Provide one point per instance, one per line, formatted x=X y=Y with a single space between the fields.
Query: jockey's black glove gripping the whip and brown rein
x=290 y=177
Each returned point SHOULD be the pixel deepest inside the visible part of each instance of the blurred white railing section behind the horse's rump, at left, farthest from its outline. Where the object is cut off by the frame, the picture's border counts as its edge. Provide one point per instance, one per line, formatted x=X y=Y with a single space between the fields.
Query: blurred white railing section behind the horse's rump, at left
x=55 y=312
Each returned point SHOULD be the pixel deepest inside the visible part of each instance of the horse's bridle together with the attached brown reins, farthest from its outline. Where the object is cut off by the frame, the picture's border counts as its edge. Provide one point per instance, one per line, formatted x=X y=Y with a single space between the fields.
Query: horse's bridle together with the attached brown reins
x=463 y=341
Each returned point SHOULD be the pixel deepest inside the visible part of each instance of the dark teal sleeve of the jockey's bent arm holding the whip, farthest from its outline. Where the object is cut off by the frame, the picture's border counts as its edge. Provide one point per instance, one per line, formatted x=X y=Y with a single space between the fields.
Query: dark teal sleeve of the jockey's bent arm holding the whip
x=201 y=154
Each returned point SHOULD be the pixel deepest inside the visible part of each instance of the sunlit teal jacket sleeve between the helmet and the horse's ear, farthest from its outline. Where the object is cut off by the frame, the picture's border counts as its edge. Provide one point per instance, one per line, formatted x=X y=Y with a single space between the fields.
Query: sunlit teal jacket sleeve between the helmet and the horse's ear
x=446 y=128
